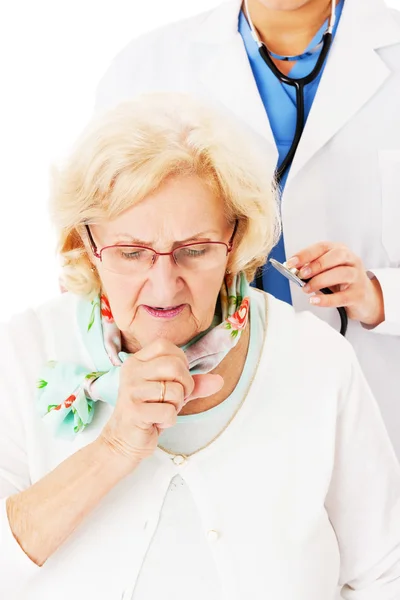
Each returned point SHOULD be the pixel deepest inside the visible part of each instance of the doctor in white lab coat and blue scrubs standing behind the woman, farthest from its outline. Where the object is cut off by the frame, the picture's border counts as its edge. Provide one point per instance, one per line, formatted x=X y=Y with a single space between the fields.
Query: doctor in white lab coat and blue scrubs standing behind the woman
x=338 y=159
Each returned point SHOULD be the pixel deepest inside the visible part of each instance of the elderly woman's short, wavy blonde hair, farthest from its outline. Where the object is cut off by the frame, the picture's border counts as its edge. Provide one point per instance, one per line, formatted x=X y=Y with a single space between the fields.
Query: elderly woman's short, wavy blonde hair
x=129 y=152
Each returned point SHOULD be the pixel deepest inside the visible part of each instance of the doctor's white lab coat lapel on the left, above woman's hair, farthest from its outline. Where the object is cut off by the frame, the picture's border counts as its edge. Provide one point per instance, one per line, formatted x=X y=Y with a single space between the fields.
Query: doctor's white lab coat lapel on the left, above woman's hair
x=227 y=75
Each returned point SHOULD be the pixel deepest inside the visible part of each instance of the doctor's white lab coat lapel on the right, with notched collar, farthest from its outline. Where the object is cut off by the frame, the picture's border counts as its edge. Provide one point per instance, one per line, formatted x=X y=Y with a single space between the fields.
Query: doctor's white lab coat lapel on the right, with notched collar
x=353 y=74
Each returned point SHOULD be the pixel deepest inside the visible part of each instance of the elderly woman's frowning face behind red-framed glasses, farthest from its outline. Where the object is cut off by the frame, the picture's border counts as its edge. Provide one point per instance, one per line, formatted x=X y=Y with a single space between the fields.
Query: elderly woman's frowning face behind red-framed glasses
x=183 y=210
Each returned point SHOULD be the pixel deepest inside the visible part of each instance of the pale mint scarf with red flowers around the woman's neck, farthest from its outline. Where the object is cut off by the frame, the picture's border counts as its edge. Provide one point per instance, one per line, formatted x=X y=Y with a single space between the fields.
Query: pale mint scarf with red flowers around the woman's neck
x=67 y=393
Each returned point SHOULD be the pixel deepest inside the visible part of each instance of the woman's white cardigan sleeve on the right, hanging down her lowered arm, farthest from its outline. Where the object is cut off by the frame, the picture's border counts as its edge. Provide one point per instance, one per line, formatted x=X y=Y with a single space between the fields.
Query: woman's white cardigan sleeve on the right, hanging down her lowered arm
x=363 y=501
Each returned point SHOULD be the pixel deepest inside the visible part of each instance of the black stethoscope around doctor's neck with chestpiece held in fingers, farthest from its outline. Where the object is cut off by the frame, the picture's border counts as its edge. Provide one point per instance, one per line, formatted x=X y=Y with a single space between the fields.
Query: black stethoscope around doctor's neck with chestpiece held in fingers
x=299 y=84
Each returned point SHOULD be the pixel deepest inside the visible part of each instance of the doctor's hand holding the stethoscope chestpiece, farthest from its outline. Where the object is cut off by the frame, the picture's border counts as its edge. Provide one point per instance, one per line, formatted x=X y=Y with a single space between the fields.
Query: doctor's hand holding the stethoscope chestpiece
x=332 y=265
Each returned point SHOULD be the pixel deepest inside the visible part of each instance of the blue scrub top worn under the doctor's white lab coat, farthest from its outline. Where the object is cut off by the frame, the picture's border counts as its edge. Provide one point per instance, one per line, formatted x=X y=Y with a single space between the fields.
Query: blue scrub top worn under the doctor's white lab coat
x=279 y=100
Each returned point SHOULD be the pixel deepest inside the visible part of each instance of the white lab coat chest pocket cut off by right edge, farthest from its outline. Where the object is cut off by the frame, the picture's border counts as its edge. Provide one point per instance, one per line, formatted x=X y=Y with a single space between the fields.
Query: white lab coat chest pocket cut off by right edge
x=389 y=169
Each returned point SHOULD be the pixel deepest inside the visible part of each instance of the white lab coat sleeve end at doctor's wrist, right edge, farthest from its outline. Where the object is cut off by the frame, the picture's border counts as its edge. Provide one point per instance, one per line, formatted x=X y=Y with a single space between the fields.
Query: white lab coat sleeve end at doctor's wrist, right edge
x=389 y=280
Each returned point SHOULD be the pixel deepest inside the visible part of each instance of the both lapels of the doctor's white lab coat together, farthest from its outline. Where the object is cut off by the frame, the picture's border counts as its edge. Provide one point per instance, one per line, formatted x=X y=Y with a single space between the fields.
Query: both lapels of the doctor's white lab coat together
x=365 y=27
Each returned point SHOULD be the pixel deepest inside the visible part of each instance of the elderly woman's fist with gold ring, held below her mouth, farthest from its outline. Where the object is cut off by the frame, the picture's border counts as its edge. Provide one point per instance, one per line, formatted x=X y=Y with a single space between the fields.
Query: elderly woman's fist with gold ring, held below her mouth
x=140 y=415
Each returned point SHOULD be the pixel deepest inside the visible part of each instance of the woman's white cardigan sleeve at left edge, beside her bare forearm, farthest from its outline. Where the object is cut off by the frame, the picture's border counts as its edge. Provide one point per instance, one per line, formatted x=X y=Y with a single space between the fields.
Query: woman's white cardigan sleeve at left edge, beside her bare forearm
x=15 y=566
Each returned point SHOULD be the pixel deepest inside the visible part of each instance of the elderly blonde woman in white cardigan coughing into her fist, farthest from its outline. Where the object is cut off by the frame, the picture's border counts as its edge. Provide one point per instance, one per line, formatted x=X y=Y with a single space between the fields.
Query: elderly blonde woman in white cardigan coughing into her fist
x=190 y=436
